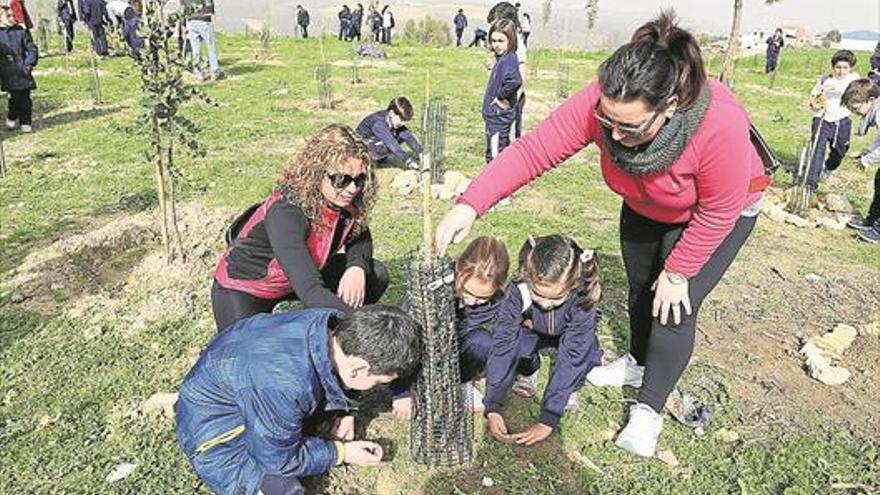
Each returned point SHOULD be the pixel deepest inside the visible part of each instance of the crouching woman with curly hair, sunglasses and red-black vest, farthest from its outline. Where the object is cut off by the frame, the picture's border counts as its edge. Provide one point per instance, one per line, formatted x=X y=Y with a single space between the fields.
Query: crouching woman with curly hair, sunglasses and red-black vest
x=310 y=240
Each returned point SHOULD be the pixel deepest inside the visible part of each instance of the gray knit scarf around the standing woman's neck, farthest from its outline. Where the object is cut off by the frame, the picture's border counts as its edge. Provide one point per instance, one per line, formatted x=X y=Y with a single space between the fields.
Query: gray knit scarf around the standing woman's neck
x=666 y=147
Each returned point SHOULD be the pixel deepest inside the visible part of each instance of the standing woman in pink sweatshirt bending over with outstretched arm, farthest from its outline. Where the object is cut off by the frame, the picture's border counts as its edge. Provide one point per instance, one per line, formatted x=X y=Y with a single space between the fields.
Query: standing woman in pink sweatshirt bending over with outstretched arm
x=676 y=147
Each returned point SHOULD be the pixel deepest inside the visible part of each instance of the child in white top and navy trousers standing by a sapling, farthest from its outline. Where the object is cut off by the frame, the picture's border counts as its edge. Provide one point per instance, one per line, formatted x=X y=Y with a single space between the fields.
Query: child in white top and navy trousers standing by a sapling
x=831 y=119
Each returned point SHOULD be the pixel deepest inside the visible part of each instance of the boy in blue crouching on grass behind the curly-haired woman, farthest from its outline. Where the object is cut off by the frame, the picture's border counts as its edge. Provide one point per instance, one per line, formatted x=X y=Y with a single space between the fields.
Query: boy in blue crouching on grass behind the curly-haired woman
x=385 y=131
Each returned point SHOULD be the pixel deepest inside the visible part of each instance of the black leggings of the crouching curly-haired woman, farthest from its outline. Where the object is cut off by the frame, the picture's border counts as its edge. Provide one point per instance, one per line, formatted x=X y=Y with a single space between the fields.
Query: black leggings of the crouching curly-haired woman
x=232 y=305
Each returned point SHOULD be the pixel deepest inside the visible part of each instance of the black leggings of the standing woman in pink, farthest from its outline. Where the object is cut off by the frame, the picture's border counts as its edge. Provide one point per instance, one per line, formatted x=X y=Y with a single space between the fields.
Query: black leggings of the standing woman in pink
x=665 y=350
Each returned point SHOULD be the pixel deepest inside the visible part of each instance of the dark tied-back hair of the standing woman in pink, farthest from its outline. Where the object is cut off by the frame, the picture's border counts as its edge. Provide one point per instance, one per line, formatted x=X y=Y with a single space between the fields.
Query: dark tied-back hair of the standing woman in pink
x=660 y=61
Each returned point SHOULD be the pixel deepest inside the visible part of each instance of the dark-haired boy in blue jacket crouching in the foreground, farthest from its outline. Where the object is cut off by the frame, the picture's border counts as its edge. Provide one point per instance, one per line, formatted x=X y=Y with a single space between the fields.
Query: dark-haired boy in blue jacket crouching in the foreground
x=243 y=407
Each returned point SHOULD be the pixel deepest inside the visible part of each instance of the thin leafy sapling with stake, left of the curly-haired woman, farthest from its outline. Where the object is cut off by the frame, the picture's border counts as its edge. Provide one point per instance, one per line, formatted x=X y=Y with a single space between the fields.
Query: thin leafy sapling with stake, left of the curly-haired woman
x=163 y=93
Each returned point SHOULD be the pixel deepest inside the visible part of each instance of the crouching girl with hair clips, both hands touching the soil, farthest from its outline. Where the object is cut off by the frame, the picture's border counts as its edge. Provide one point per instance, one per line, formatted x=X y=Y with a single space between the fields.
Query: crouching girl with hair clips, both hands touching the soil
x=552 y=306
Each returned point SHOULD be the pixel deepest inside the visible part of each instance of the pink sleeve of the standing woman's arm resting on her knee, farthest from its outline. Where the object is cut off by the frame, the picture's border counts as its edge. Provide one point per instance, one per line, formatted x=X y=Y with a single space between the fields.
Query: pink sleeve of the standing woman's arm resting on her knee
x=722 y=190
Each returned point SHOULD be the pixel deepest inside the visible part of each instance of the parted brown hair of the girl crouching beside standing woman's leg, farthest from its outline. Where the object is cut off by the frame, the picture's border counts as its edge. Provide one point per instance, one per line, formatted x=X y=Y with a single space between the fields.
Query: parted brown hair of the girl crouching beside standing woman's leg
x=557 y=258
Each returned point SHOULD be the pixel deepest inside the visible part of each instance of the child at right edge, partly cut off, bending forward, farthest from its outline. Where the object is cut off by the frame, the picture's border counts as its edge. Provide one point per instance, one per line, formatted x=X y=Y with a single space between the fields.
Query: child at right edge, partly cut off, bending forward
x=862 y=98
